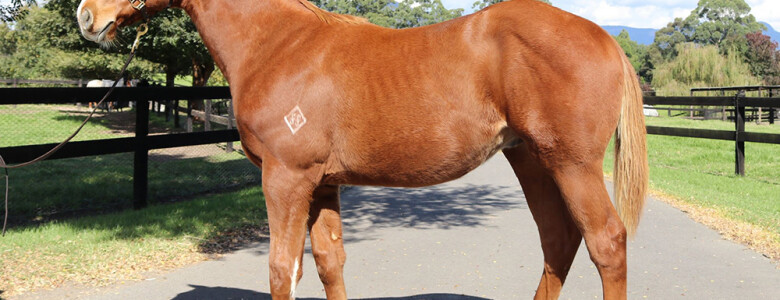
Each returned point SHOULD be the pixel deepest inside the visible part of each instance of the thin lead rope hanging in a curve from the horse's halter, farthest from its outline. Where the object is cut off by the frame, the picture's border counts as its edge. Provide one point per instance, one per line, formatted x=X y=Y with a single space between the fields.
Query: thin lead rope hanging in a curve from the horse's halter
x=140 y=31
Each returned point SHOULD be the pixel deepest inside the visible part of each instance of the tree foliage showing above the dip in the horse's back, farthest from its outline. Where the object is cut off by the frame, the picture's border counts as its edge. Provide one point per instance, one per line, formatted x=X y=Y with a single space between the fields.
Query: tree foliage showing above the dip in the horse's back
x=388 y=13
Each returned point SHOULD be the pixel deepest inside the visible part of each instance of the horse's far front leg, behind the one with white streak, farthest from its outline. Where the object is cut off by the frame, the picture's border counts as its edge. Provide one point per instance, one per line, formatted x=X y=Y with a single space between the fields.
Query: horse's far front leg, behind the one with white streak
x=326 y=240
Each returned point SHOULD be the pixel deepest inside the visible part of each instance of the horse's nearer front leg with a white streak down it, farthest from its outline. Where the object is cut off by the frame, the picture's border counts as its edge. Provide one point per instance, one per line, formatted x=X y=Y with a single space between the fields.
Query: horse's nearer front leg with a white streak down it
x=288 y=195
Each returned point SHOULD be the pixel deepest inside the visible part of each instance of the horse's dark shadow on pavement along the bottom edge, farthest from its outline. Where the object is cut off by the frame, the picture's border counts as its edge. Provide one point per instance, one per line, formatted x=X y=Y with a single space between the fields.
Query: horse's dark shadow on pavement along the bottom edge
x=204 y=292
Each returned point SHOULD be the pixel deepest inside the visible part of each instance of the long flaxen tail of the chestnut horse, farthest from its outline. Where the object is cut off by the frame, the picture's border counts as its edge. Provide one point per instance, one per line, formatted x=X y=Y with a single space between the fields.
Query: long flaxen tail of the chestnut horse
x=631 y=171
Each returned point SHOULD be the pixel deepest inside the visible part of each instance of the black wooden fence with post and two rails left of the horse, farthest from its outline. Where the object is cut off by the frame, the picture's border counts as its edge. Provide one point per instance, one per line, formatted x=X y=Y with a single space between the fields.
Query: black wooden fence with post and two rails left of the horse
x=140 y=144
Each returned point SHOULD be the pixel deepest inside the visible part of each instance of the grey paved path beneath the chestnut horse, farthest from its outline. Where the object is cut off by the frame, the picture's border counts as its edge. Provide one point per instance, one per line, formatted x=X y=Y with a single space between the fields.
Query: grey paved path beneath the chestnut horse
x=474 y=239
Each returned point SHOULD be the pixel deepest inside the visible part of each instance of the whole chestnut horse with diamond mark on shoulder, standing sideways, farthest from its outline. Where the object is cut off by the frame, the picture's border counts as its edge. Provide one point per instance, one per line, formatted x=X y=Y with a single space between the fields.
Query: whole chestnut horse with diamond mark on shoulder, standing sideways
x=323 y=99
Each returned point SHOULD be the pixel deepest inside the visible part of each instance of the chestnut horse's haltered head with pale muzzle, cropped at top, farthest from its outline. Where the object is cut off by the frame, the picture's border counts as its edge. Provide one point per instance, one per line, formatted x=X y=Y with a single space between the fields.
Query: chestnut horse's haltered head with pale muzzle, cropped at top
x=100 y=19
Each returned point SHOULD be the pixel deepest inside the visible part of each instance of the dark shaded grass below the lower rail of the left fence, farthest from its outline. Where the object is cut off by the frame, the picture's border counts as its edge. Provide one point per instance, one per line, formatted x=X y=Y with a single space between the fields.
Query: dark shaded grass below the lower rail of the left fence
x=58 y=188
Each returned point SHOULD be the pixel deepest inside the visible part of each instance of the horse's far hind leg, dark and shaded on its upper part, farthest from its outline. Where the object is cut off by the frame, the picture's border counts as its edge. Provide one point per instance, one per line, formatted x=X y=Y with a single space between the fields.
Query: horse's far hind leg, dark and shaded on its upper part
x=559 y=235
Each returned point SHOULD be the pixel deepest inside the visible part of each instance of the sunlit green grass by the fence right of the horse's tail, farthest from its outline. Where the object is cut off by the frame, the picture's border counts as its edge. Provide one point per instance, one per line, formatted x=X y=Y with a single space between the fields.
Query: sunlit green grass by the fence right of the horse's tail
x=701 y=172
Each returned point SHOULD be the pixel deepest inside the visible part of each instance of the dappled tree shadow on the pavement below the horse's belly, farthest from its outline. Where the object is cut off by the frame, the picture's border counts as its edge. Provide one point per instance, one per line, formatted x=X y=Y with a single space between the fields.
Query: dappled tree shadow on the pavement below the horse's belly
x=366 y=209
